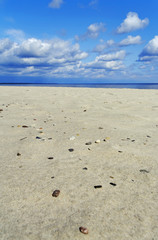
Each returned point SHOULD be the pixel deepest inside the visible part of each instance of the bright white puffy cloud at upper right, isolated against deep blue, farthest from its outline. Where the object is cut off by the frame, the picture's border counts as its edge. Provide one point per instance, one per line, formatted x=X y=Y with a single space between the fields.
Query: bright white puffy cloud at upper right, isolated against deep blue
x=132 y=23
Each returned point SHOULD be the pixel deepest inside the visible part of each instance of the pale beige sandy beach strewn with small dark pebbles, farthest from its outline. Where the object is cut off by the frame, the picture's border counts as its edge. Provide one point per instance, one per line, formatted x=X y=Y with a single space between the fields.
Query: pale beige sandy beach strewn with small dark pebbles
x=127 y=121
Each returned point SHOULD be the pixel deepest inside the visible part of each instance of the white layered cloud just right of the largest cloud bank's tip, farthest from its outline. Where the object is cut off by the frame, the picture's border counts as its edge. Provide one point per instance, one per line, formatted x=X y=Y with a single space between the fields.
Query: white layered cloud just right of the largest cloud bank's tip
x=110 y=61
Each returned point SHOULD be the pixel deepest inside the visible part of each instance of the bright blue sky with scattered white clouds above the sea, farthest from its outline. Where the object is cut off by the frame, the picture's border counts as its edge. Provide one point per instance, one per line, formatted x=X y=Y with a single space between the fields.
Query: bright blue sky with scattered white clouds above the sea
x=79 y=41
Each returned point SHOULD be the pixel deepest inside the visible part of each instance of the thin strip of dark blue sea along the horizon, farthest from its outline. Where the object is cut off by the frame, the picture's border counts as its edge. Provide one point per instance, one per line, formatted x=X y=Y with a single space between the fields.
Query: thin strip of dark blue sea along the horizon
x=89 y=85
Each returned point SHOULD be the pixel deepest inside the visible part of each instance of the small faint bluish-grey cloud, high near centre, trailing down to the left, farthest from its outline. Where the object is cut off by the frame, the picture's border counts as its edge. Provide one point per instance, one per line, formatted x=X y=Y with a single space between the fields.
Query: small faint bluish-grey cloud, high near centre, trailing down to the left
x=93 y=31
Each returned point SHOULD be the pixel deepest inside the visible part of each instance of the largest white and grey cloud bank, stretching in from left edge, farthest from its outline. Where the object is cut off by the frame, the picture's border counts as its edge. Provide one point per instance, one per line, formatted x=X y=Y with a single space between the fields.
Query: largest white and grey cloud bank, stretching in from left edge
x=35 y=52
